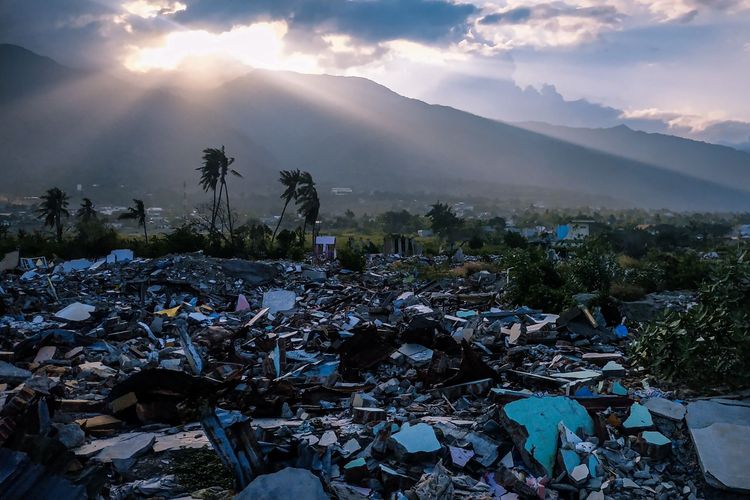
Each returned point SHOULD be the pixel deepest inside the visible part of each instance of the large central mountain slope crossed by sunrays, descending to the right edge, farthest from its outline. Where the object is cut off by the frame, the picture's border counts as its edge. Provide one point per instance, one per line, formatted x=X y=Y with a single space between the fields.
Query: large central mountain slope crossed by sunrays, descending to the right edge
x=355 y=131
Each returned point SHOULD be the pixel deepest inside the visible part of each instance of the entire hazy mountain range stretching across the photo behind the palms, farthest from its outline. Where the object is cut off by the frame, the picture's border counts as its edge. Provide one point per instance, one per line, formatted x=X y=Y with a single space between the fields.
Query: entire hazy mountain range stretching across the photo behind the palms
x=347 y=131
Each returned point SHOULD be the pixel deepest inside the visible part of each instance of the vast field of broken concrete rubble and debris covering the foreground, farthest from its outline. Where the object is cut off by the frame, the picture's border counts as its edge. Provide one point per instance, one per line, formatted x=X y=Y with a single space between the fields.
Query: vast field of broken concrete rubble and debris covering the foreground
x=193 y=377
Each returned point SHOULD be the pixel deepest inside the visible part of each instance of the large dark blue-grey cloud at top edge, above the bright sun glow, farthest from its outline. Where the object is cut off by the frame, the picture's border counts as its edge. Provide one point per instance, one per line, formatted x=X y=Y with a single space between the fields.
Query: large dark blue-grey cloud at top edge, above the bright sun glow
x=369 y=21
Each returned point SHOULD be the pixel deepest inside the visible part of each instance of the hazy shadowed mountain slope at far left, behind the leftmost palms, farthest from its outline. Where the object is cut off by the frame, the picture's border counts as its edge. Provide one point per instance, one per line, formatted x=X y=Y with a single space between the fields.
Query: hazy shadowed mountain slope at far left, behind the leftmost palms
x=63 y=127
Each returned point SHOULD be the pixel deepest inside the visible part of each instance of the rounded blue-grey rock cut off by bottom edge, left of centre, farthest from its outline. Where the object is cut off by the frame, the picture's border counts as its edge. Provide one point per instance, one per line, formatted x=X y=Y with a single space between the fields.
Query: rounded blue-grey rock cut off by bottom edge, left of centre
x=287 y=484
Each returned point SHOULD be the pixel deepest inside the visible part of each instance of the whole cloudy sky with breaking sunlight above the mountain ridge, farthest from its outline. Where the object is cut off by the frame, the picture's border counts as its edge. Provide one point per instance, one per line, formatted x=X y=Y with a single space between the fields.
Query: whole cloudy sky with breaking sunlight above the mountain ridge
x=675 y=66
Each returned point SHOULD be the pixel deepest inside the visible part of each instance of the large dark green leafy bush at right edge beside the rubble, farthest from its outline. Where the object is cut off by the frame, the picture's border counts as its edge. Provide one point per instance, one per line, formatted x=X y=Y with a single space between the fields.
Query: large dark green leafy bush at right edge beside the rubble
x=710 y=343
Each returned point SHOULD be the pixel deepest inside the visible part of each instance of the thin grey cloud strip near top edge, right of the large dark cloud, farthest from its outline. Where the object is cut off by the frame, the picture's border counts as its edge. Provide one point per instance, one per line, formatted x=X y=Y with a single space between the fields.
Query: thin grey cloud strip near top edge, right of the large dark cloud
x=520 y=15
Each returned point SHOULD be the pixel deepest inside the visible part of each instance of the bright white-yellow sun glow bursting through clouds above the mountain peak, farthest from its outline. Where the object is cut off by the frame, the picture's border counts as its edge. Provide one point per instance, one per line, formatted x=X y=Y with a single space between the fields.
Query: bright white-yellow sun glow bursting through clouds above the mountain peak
x=259 y=45
